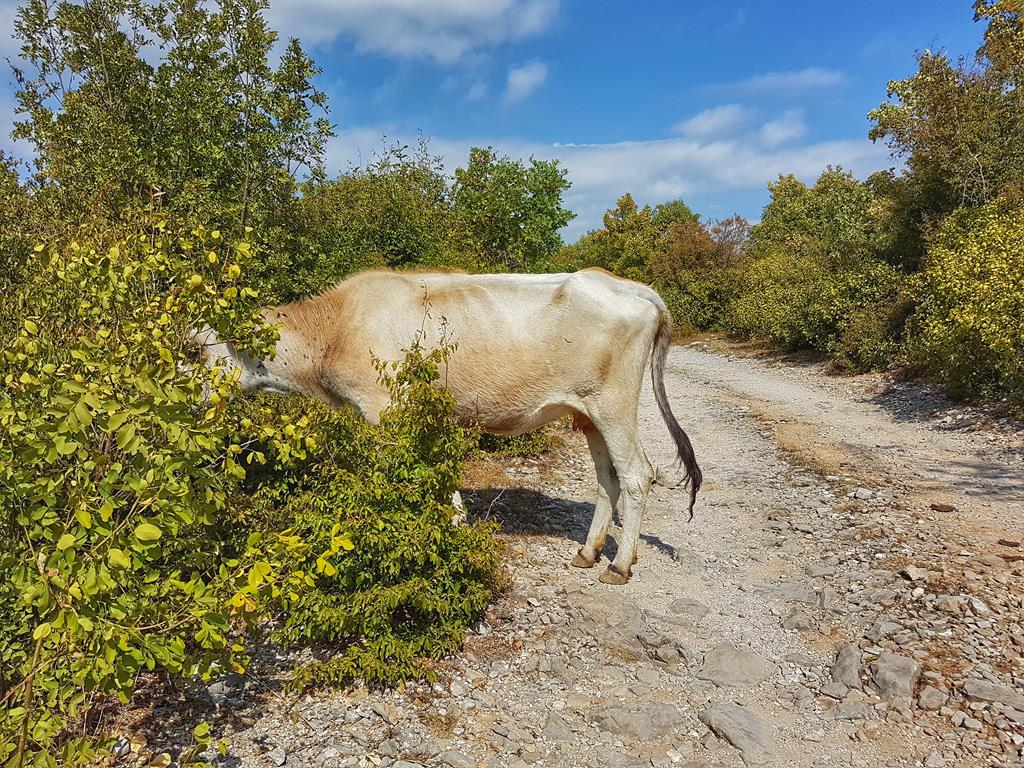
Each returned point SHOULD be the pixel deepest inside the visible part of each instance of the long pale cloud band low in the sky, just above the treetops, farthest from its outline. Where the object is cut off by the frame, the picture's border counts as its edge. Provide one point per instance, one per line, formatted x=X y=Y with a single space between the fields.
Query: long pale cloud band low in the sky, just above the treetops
x=654 y=172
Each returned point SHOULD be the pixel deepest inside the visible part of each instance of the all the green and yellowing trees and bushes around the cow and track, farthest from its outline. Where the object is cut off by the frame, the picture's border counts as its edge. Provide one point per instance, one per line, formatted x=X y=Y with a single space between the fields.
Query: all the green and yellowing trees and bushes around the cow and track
x=154 y=523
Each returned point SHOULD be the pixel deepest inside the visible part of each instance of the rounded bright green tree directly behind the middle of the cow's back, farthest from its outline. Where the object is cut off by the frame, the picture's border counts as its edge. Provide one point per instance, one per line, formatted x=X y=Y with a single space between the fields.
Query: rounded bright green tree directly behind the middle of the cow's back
x=509 y=215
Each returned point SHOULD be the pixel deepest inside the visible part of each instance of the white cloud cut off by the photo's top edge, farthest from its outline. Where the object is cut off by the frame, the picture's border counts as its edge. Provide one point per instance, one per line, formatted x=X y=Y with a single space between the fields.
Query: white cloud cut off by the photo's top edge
x=443 y=30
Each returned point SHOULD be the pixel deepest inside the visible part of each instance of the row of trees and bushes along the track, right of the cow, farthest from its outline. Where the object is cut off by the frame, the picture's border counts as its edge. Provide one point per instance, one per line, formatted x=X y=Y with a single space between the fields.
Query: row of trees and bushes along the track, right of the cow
x=921 y=269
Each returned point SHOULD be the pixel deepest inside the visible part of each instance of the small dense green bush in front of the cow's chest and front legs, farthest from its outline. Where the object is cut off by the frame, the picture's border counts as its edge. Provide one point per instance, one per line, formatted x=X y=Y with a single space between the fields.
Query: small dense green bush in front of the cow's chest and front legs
x=413 y=581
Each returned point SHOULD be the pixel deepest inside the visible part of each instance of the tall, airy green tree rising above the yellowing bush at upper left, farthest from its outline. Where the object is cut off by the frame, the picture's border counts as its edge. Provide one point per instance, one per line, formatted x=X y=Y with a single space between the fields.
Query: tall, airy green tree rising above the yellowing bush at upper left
x=212 y=132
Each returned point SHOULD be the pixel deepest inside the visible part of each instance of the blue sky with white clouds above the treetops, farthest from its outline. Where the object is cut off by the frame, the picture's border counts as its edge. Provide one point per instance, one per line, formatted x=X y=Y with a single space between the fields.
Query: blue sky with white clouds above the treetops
x=662 y=99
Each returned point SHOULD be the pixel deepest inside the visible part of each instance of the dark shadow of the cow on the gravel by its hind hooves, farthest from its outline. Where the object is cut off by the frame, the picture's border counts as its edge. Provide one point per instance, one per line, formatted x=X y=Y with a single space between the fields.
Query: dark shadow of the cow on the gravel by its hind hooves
x=526 y=513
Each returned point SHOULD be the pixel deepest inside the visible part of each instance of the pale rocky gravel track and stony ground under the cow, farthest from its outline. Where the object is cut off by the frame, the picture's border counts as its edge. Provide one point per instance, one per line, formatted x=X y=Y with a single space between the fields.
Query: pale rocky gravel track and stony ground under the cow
x=848 y=594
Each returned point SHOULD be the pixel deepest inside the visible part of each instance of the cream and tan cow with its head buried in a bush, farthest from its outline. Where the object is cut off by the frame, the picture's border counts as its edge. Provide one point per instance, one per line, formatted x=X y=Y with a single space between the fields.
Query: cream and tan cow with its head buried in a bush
x=529 y=350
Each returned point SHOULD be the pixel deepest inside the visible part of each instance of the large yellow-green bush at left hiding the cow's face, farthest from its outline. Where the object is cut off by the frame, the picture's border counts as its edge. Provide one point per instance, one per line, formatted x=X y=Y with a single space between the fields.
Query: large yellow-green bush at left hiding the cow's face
x=113 y=472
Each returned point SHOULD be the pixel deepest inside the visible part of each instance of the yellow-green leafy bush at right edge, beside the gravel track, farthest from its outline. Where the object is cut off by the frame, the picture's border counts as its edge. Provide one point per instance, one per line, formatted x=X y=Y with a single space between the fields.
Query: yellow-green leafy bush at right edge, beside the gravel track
x=971 y=321
